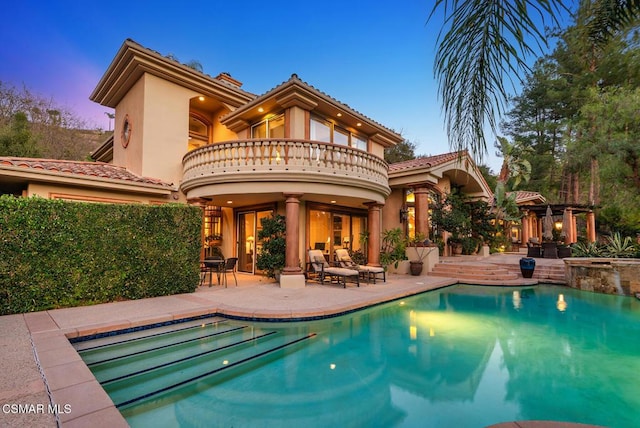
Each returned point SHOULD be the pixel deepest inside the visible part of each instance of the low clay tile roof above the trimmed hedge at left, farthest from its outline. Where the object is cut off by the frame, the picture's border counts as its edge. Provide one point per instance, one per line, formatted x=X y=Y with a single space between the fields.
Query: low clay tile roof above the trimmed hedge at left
x=78 y=168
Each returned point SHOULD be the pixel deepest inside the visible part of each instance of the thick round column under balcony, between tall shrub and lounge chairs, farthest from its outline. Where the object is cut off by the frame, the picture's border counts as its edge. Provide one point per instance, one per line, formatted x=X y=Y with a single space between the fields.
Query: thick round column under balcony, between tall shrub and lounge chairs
x=292 y=276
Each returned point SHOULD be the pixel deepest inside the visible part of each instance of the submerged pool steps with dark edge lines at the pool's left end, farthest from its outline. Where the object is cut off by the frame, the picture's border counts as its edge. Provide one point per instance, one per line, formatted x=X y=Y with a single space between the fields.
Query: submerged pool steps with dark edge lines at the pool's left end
x=131 y=369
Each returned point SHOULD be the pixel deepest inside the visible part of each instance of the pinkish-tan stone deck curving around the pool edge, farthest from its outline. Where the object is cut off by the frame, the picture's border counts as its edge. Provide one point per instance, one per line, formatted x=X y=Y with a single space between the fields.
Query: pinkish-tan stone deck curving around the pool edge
x=40 y=367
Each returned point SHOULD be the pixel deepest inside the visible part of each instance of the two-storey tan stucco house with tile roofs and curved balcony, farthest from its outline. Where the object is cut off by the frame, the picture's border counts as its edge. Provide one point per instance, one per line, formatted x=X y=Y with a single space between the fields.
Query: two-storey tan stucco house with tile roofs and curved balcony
x=184 y=136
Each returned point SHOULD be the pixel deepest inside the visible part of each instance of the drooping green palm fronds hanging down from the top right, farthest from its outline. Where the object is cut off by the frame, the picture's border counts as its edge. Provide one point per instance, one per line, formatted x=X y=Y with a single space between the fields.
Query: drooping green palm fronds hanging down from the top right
x=483 y=43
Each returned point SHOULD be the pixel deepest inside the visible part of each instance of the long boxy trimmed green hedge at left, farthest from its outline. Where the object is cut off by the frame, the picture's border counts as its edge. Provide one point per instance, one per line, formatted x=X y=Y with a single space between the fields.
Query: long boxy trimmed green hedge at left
x=56 y=254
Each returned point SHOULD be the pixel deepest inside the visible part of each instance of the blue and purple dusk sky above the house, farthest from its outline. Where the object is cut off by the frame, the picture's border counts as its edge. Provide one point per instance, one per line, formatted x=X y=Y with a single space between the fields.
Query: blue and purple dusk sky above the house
x=376 y=57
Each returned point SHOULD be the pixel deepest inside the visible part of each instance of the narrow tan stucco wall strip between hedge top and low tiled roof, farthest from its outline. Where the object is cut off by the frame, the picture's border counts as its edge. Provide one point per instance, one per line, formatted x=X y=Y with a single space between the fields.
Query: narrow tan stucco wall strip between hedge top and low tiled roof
x=90 y=195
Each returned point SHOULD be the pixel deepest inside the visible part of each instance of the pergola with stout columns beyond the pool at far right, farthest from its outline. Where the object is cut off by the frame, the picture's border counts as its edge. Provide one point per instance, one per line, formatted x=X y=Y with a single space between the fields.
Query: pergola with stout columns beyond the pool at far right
x=563 y=214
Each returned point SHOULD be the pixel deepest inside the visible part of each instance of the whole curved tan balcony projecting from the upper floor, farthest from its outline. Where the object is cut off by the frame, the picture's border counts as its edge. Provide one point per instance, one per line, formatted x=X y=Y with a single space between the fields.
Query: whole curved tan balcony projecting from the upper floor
x=276 y=165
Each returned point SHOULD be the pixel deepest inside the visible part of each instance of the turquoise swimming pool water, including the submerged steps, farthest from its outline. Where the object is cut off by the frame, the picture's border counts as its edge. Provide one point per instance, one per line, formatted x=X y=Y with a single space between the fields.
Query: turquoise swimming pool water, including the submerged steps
x=463 y=356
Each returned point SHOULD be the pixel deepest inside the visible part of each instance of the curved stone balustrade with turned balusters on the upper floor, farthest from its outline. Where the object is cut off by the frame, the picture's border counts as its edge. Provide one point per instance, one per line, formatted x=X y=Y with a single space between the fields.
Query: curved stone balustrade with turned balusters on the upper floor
x=310 y=160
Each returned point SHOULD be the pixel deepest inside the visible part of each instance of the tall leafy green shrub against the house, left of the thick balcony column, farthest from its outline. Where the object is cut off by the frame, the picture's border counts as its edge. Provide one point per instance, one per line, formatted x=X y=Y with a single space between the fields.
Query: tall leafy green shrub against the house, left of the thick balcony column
x=271 y=257
